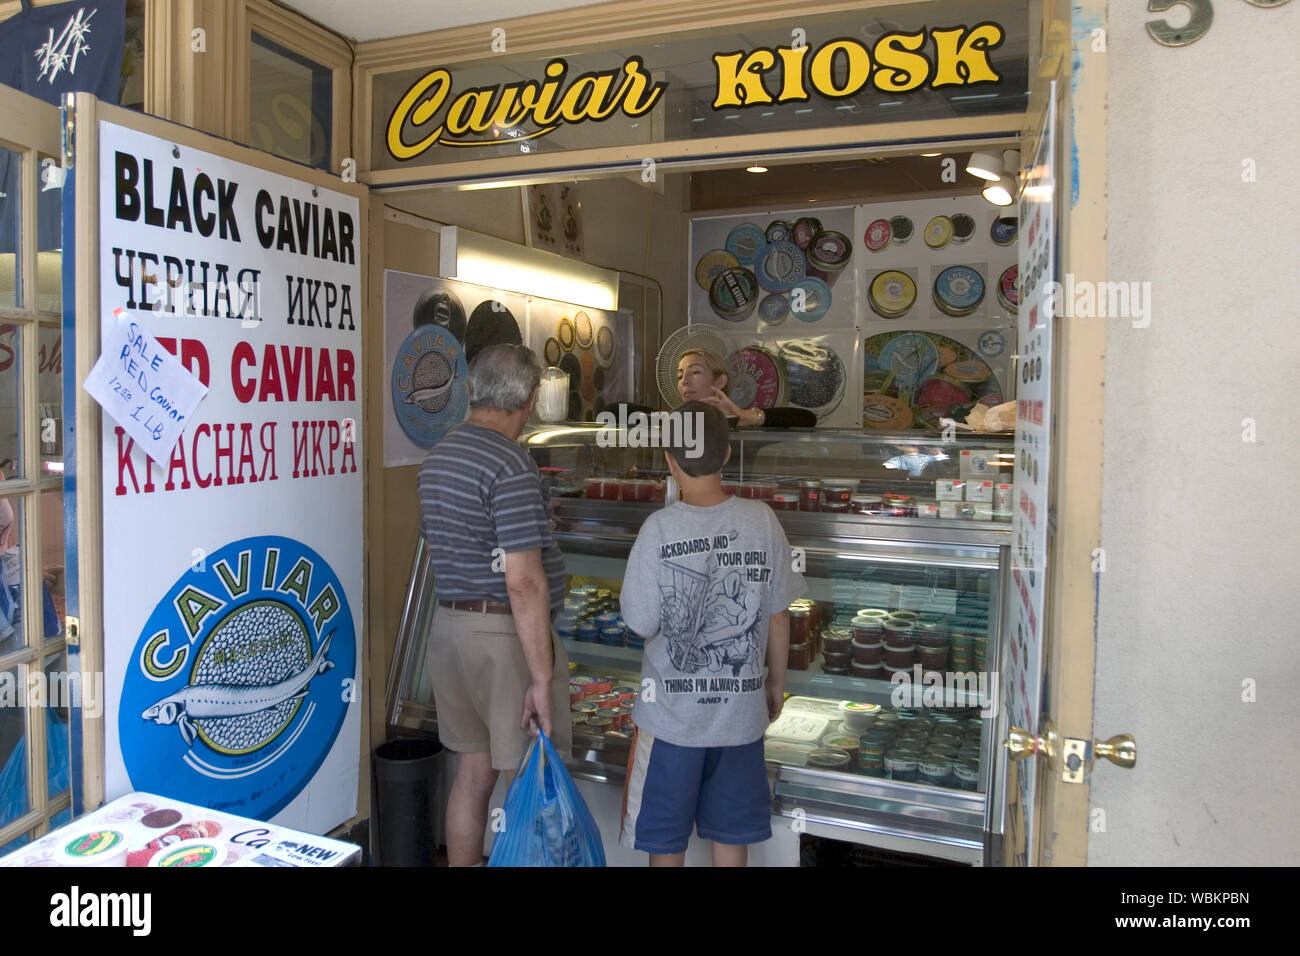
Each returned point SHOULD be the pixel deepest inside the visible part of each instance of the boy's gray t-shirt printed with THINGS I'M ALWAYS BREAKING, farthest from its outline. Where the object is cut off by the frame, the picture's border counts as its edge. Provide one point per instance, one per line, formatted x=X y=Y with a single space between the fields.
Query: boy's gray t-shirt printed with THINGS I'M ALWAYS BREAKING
x=701 y=585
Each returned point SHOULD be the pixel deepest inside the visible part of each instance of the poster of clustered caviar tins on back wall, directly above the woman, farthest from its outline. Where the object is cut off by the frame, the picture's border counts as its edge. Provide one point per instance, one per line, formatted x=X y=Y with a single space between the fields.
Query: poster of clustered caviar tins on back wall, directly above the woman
x=765 y=269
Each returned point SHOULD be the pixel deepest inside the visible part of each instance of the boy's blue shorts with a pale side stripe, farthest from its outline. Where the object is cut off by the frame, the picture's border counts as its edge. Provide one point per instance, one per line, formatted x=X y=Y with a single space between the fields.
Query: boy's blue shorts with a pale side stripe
x=720 y=790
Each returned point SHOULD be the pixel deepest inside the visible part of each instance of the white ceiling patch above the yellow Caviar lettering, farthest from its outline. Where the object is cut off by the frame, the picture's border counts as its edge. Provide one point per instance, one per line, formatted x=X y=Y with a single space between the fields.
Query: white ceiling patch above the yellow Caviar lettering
x=378 y=20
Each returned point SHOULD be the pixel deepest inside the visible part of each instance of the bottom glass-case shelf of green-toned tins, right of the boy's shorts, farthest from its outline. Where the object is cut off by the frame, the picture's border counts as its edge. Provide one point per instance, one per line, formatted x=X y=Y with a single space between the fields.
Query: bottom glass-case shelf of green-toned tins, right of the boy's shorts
x=937 y=747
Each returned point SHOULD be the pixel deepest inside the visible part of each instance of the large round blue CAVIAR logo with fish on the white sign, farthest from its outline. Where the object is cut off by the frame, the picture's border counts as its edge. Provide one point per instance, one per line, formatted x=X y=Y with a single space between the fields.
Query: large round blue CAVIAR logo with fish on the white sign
x=242 y=678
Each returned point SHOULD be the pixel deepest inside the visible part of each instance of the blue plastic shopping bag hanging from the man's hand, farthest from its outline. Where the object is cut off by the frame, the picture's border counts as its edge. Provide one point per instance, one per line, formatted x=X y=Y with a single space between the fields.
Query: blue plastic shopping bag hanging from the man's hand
x=547 y=821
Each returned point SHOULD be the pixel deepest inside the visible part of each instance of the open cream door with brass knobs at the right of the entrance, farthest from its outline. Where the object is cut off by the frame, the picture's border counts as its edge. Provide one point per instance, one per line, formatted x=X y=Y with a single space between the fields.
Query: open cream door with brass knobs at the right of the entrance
x=1058 y=556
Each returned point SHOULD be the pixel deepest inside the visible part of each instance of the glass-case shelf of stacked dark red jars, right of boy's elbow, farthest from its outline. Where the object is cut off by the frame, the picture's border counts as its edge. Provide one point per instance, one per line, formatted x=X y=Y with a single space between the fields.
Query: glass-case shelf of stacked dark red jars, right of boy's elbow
x=878 y=643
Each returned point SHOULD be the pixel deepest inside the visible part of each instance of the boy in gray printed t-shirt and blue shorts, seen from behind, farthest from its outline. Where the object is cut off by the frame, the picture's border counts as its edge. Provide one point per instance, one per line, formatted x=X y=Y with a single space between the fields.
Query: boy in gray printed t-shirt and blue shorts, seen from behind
x=708 y=585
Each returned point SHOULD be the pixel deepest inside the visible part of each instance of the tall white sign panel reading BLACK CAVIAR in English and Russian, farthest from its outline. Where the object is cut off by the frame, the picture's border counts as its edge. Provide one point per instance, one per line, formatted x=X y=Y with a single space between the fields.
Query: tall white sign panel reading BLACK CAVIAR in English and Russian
x=233 y=569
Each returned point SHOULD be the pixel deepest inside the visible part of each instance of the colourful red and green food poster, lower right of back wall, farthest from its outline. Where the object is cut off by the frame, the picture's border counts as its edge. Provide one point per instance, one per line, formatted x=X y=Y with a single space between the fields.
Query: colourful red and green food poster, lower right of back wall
x=915 y=378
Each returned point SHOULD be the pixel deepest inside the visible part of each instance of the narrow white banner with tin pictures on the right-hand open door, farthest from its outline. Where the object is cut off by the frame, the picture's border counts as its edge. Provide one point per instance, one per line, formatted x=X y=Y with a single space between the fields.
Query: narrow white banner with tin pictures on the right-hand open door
x=1022 y=667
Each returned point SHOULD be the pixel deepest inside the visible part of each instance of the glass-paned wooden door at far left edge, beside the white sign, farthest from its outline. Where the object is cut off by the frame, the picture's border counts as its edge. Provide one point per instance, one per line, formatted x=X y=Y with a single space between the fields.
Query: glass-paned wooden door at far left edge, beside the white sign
x=36 y=772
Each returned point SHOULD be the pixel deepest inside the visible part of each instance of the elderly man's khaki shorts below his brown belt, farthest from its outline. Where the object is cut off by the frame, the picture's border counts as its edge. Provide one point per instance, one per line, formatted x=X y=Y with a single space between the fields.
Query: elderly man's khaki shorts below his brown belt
x=479 y=676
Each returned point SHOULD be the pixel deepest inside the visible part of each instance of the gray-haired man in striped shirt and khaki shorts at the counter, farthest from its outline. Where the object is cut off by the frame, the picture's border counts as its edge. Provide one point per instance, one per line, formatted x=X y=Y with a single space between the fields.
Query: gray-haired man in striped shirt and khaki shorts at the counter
x=493 y=654
